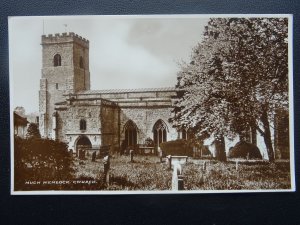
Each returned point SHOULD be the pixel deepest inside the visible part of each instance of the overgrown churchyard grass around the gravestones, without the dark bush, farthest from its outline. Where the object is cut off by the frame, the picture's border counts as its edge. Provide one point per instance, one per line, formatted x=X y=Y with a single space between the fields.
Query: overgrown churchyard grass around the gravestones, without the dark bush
x=147 y=173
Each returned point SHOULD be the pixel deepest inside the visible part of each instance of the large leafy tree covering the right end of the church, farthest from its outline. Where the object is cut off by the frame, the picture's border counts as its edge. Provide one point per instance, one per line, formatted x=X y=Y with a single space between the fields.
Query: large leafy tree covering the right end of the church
x=237 y=77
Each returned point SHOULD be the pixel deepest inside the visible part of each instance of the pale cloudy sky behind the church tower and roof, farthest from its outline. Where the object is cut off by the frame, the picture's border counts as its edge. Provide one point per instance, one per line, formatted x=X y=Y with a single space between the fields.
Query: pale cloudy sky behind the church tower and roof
x=125 y=51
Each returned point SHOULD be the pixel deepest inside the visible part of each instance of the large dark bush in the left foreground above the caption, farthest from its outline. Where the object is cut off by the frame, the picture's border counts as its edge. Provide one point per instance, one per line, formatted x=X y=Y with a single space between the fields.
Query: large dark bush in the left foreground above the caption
x=40 y=159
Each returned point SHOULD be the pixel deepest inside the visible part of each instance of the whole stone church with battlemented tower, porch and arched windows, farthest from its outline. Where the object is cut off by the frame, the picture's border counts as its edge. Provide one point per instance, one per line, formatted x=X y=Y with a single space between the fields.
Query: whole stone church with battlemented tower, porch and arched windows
x=69 y=111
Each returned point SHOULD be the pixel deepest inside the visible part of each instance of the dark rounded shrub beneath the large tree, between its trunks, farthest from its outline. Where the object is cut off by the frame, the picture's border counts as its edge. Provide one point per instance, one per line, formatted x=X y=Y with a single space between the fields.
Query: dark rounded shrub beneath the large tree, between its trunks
x=243 y=149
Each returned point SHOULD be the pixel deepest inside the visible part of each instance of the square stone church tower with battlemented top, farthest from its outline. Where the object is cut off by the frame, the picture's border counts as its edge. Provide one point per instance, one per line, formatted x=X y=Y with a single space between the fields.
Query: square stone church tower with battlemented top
x=65 y=70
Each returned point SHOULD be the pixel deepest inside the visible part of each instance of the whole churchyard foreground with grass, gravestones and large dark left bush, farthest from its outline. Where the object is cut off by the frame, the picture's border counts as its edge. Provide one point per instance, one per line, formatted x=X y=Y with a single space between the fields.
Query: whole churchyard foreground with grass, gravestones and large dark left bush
x=43 y=164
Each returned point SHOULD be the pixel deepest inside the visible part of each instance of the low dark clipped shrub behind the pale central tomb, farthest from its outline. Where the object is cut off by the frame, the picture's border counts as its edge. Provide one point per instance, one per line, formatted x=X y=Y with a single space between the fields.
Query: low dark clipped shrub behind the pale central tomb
x=178 y=147
